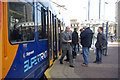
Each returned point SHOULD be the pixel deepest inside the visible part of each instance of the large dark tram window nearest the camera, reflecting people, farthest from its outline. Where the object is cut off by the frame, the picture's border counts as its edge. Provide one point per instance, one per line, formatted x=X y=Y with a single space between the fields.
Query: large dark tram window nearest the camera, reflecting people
x=21 y=22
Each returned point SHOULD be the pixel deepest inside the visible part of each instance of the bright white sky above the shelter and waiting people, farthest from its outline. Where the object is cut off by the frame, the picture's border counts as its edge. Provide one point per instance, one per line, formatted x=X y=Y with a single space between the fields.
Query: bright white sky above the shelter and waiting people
x=78 y=9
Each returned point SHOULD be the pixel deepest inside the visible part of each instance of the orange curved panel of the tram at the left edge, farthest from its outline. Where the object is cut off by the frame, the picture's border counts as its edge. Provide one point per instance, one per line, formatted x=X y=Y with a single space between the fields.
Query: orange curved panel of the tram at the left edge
x=8 y=51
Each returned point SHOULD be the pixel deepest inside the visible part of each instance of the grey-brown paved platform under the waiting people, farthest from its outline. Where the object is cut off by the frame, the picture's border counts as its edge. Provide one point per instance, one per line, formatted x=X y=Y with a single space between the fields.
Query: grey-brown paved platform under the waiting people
x=108 y=69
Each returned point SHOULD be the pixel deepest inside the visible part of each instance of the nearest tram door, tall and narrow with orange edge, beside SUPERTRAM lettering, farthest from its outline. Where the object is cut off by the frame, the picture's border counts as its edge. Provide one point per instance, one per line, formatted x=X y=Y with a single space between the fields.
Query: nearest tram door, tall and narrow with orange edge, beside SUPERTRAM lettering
x=50 y=37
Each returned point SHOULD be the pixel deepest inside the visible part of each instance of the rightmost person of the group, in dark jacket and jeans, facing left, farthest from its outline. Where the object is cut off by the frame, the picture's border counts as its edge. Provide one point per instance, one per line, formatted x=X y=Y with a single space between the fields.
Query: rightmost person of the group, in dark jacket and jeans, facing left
x=100 y=45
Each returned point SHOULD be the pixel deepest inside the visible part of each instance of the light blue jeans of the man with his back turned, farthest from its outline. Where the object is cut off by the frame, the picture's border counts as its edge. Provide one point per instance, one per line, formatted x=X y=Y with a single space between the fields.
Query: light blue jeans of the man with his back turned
x=85 y=51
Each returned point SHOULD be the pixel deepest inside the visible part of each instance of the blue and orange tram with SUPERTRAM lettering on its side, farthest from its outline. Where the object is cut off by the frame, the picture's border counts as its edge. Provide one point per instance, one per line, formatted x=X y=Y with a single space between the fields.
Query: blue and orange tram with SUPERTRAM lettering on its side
x=29 y=38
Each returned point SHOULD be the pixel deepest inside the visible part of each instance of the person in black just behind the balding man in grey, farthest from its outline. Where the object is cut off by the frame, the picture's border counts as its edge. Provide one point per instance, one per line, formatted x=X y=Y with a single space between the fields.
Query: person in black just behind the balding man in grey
x=75 y=42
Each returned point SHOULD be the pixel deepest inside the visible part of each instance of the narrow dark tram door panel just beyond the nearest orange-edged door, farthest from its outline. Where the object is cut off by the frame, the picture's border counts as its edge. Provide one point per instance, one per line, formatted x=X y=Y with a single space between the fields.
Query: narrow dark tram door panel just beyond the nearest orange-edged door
x=54 y=38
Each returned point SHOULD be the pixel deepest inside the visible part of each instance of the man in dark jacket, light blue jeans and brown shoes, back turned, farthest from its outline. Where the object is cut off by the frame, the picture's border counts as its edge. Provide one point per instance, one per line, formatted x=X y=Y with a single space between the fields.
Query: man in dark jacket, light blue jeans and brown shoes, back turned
x=86 y=41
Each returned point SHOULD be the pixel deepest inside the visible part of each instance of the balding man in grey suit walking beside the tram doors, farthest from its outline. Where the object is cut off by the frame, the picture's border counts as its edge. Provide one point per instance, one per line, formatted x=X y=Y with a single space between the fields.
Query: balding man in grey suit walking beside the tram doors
x=66 y=38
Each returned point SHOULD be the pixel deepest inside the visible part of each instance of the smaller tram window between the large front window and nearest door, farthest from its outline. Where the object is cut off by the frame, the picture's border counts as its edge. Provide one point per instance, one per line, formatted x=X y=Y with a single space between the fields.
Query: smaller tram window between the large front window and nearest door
x=42 y=24
